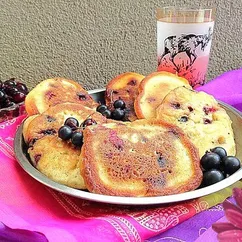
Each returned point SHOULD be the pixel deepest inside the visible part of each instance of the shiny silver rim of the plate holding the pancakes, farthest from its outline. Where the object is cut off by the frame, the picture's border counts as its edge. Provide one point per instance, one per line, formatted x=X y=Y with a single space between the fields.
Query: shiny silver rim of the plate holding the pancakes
x=27 y=166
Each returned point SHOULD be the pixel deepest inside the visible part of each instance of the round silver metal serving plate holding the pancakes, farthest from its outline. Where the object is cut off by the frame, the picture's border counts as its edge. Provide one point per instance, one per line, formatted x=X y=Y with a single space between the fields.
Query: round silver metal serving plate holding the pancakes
x=98 y=94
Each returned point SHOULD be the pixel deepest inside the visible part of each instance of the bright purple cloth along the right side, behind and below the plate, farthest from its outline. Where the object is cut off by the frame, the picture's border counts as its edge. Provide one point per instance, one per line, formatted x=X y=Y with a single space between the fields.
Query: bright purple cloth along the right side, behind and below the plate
x=226 y=88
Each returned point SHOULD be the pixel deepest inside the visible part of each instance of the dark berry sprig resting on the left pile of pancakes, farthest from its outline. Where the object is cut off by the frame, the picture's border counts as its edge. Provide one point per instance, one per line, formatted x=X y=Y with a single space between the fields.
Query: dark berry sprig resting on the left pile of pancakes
x=72 y=131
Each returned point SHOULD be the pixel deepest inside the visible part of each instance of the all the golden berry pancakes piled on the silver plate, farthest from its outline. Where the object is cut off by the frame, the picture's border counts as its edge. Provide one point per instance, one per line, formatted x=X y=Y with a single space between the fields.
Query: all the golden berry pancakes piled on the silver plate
x=156 y=151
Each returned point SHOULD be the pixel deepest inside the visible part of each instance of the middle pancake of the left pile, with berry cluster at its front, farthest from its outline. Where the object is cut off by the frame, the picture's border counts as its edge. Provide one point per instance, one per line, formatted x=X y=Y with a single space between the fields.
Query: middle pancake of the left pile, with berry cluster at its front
x=53 y=118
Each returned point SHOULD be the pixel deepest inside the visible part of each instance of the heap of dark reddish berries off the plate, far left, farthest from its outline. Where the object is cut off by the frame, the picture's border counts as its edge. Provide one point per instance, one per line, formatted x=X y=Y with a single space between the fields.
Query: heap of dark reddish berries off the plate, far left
x=12 y=91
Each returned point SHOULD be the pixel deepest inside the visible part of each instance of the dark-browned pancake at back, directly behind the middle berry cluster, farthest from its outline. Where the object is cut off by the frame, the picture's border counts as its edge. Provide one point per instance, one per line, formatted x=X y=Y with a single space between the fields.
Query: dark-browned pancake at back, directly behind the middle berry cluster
x=125 y=87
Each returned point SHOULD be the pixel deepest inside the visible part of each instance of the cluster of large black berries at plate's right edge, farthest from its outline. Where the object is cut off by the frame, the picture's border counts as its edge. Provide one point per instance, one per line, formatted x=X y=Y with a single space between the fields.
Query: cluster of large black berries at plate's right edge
x=217 y=166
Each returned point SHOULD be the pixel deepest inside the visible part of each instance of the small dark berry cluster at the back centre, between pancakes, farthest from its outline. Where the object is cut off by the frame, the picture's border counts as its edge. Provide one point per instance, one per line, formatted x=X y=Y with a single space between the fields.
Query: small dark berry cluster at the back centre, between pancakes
x=117 y=114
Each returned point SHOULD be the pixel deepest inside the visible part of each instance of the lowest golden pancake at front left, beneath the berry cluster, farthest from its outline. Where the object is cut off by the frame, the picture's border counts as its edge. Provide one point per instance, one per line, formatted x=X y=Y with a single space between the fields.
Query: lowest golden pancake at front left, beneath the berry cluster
x=58 y=160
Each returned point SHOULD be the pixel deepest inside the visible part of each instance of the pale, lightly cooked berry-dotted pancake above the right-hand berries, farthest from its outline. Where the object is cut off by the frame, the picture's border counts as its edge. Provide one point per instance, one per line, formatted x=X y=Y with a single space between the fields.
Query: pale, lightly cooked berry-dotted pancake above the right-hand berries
x=200 y=116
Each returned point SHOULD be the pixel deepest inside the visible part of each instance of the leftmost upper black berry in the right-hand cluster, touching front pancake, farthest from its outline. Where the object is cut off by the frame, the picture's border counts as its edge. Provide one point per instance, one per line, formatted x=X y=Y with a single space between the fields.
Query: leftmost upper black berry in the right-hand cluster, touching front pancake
x=210 y=160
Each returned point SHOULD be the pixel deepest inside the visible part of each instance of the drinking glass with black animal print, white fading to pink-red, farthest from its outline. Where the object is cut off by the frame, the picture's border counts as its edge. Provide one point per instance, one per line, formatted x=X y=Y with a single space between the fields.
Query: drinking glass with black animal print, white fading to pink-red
x=184 y=39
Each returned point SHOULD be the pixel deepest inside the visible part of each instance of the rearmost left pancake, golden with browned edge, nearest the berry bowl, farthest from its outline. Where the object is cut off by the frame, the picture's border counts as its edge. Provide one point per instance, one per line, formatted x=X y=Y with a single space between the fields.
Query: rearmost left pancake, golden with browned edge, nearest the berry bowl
x=54 y=91
